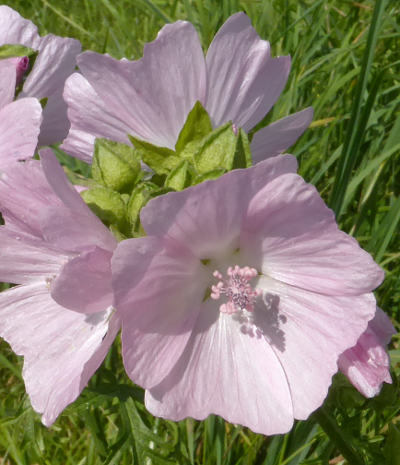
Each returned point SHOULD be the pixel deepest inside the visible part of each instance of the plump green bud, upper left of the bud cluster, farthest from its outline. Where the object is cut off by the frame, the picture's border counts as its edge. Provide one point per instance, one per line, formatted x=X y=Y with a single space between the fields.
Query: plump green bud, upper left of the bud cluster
x=115 y=165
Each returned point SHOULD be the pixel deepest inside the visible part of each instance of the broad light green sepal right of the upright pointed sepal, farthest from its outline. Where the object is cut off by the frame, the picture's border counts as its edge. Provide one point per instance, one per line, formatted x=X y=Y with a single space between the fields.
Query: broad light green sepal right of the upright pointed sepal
x=217 y=150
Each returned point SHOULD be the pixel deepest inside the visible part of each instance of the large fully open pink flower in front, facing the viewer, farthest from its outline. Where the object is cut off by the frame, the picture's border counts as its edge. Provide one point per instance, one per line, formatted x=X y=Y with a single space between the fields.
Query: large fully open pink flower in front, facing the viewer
x=241 y=298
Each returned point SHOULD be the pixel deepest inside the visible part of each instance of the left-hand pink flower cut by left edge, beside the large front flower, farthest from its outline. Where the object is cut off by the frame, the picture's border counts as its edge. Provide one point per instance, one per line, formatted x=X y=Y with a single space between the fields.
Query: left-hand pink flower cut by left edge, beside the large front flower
x=56 y=250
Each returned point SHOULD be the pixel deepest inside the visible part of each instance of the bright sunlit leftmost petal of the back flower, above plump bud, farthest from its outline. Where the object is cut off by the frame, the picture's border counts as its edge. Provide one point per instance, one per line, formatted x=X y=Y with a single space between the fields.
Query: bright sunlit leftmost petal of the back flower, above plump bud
x=90 y=118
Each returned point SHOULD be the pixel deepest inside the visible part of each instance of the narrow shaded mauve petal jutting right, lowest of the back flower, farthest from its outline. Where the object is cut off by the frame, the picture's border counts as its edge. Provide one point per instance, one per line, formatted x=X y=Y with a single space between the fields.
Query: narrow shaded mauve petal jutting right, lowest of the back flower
x=280 y=135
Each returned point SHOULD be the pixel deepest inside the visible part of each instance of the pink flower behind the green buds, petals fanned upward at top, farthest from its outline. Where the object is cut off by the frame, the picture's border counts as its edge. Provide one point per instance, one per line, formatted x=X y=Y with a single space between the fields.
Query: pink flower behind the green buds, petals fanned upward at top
x=150 y=98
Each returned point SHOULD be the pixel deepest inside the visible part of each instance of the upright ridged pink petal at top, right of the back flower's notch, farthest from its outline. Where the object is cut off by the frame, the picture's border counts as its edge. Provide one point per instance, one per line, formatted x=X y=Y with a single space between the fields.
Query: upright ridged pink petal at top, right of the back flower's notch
x=243 y=80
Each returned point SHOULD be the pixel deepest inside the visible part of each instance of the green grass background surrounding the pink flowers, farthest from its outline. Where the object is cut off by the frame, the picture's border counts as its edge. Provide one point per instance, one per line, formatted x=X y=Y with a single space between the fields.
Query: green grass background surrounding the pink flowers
x=345 y=63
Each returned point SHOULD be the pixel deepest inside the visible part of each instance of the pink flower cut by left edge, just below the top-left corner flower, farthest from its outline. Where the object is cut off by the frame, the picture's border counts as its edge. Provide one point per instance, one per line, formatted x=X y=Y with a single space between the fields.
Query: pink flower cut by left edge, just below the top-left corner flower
x=19 y=121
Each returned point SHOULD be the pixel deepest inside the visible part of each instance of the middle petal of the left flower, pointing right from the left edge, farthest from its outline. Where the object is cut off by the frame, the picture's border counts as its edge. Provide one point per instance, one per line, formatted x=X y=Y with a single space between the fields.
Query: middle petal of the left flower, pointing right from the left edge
x=25 y=259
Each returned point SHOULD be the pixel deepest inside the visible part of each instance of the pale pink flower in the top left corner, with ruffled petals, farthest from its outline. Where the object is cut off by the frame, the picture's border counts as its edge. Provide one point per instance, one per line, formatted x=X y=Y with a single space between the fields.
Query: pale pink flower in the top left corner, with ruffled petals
x=55 y=62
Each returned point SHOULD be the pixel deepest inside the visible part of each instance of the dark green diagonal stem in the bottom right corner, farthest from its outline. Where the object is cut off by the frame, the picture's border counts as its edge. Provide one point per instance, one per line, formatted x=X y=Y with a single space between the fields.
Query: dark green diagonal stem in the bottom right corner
x=333 y=431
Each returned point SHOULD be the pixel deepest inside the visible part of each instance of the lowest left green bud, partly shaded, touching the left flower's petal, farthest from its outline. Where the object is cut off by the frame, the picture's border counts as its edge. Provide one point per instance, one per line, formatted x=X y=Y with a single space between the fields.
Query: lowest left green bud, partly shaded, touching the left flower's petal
x=107 y=205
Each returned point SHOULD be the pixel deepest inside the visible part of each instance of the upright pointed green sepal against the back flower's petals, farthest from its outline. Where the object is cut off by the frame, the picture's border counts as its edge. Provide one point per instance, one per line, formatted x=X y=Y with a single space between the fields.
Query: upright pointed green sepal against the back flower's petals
x=197 y=125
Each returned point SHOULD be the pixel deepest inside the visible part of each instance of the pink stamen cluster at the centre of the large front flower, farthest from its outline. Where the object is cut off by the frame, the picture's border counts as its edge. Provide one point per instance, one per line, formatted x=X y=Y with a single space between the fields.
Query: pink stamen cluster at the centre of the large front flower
x=241 y=295
